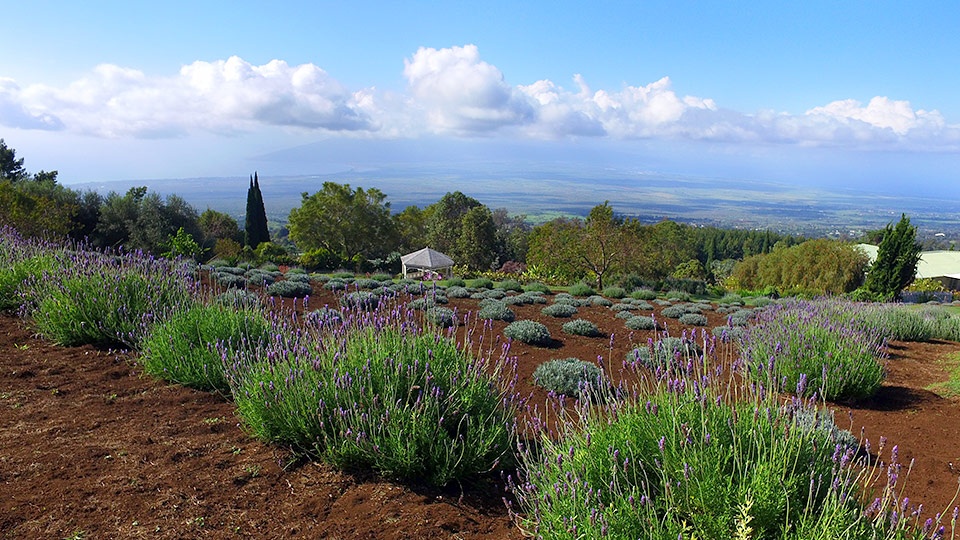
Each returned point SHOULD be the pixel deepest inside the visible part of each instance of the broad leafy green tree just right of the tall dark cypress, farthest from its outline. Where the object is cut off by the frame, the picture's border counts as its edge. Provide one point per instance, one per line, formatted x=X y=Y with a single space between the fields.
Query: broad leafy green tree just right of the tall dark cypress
x=345 y=222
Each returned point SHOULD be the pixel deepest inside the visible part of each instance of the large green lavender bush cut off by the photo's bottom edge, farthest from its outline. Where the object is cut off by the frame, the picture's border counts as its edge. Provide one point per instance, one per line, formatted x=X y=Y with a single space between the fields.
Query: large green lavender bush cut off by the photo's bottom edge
x=681 y=462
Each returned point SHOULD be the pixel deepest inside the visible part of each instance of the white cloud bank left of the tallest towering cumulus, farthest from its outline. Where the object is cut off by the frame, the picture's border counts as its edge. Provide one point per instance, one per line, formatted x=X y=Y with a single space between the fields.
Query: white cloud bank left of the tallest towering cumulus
x=225 y=96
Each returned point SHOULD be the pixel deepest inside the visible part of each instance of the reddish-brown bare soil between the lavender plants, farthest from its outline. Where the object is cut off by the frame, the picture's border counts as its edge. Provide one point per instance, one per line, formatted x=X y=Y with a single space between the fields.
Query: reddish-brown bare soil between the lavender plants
x=92 y=448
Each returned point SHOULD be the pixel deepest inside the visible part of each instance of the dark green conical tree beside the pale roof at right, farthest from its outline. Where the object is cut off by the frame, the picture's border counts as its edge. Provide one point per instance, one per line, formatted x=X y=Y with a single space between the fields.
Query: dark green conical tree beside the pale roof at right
x=897 y=259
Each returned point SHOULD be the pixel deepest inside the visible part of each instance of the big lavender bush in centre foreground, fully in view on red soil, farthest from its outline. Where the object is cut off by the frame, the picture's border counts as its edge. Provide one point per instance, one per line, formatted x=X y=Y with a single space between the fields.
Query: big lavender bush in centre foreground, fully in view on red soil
x=372 y=403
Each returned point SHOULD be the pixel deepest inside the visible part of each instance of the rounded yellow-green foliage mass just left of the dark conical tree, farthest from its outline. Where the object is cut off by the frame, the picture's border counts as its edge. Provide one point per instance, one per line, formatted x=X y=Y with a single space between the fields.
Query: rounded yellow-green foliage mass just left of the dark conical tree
x=822 y=266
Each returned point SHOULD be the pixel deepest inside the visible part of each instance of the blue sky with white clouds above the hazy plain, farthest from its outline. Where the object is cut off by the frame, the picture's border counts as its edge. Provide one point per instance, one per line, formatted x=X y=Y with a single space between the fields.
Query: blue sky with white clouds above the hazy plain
x=822 y=93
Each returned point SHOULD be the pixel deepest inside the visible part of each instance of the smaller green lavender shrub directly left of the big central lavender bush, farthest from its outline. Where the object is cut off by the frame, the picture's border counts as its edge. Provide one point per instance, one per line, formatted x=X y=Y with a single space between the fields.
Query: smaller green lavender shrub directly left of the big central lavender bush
x=188 y=348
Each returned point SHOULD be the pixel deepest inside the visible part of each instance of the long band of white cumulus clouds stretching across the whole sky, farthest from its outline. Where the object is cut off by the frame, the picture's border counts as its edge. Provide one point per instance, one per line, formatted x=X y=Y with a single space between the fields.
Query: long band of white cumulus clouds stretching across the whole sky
x=449 y=91
